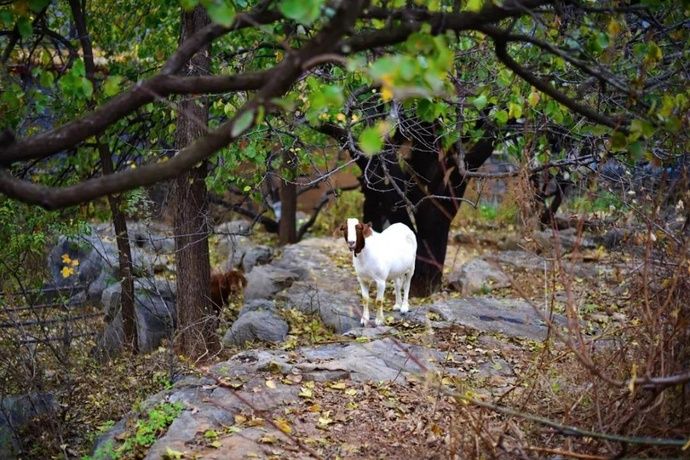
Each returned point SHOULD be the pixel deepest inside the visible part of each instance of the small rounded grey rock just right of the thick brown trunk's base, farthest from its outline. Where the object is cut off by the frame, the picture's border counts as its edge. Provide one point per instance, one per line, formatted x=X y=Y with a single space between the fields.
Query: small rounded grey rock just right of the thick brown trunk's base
x=259 y=326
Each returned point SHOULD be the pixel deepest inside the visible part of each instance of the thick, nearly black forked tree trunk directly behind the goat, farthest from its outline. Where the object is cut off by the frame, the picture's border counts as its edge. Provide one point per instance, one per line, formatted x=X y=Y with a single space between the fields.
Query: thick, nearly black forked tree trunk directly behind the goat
x=433 y=188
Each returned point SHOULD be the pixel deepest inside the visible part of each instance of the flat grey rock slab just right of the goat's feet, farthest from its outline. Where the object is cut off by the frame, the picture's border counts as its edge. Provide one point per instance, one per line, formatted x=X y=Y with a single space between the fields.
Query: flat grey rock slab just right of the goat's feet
x=511 y=317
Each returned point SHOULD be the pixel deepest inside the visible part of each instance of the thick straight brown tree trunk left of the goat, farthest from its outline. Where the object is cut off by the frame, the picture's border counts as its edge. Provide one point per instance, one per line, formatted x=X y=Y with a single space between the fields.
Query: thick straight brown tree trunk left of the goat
x=196 y=320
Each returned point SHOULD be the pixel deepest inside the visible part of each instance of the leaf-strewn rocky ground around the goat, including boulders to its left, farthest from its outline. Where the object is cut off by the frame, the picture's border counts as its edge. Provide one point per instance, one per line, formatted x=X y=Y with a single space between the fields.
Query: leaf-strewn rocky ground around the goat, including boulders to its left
x=372 y=392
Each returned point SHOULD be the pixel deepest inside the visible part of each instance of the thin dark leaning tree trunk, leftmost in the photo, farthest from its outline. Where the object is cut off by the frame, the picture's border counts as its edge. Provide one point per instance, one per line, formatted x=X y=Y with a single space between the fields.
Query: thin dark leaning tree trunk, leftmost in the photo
x=125 y=271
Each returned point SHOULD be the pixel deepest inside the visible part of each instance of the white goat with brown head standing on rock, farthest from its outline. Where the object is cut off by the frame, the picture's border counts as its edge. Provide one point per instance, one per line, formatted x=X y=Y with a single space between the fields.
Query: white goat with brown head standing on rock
x=378 y=257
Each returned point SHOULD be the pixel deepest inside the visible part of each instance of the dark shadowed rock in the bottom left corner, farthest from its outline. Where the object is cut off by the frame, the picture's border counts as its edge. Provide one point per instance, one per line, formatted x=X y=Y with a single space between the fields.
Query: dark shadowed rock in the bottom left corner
x=15 y=413
